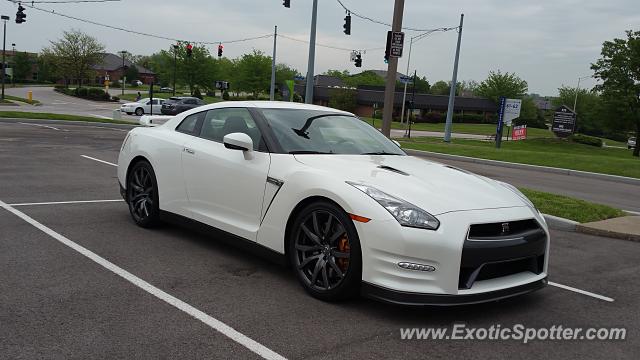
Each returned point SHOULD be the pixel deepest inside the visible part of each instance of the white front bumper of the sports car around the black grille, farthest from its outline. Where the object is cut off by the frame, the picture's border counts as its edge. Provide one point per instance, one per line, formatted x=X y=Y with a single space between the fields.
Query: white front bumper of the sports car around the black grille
x=458 y=268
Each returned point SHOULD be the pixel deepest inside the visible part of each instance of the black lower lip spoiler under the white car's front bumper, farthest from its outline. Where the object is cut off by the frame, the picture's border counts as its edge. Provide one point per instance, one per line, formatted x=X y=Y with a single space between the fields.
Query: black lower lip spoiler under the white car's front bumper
x=408 y=298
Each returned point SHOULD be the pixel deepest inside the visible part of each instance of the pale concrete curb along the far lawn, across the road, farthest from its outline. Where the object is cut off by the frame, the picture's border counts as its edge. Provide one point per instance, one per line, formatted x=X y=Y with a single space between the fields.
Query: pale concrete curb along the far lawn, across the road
x=547 y=169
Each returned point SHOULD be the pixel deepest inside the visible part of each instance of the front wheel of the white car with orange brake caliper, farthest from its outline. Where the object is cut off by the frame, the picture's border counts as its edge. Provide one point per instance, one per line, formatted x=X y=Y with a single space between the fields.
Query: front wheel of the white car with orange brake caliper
x=329 y=267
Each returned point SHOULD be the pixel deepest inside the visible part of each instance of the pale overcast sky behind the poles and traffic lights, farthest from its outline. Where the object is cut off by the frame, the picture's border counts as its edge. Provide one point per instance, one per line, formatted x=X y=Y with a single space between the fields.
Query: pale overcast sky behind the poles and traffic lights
x=546 y=43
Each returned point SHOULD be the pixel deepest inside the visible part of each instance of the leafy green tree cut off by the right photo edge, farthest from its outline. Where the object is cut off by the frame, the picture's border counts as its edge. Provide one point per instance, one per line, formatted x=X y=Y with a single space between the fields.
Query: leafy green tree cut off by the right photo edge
x=619 y=72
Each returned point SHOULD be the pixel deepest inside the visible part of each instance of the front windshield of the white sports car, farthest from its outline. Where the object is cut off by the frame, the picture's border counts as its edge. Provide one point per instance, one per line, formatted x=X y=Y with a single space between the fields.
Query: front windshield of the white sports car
x=317 y=132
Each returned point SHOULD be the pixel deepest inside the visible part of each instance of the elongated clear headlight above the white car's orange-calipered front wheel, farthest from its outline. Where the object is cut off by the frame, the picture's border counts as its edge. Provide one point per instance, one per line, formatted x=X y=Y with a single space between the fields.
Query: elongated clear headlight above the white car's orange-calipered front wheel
x=407 y=214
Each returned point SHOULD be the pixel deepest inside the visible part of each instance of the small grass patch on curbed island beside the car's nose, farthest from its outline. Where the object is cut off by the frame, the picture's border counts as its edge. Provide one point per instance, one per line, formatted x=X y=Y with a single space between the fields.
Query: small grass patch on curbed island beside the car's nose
x=570 y=208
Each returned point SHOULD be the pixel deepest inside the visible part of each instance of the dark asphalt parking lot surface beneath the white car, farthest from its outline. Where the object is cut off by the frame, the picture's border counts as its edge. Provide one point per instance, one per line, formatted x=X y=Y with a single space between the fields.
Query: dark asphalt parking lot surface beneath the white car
x=79 y=280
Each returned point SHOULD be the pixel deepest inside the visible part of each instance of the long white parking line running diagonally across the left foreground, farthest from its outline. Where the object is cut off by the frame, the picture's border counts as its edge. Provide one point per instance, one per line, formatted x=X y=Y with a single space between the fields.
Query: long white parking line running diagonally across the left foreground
x=215 y=324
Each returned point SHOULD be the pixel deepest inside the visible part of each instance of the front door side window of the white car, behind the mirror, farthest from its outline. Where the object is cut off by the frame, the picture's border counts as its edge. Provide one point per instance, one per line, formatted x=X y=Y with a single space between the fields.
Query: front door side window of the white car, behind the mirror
x=220 y=122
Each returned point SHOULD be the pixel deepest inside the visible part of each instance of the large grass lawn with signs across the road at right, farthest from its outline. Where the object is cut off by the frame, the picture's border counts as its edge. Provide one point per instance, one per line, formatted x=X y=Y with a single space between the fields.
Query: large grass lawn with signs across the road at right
x=546 y=152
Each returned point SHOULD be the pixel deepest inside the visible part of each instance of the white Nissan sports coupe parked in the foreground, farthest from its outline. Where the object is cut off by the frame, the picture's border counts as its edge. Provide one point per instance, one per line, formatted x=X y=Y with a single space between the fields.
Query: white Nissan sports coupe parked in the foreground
x=345 y=207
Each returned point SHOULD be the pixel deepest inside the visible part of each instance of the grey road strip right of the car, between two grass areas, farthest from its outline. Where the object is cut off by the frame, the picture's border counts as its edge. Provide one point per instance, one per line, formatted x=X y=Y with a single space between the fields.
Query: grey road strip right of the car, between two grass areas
x=619 y=195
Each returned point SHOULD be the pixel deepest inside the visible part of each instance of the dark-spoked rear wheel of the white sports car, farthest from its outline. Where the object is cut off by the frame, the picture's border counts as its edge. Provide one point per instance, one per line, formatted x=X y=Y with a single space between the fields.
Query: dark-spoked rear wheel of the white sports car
x=142 y=195
